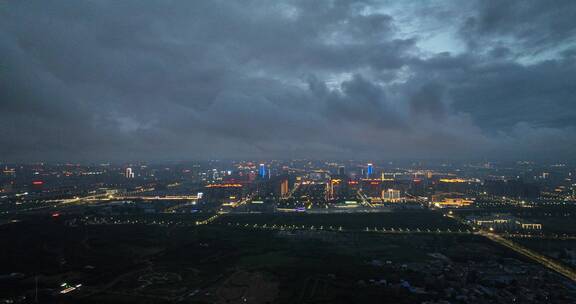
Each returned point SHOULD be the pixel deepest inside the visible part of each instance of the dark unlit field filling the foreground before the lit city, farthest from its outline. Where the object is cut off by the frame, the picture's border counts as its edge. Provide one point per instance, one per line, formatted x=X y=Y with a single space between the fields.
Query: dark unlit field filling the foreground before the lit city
x=137 y=263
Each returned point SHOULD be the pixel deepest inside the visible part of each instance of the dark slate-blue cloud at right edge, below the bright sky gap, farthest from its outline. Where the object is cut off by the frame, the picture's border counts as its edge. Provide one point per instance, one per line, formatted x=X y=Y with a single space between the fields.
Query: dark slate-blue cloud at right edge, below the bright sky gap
x=541 y=94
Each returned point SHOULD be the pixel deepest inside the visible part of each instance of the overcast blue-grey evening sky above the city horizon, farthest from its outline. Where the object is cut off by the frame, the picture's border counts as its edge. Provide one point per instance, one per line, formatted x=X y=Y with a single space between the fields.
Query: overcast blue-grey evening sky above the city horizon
x=157 y=80
